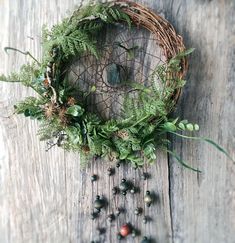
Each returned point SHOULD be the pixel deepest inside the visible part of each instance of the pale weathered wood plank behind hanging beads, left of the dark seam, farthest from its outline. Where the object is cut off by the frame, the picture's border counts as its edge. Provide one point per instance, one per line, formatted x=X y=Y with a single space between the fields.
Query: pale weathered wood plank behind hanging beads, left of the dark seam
x=47 y=196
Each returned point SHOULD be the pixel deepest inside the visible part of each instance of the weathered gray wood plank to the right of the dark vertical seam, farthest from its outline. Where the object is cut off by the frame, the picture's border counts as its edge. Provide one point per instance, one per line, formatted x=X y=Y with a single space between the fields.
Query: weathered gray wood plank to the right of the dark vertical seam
x=203 y=205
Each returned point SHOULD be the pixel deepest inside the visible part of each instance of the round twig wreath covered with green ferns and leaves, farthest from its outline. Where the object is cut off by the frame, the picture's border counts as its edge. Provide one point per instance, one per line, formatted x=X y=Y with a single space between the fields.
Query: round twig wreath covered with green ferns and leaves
x=66 y=119
